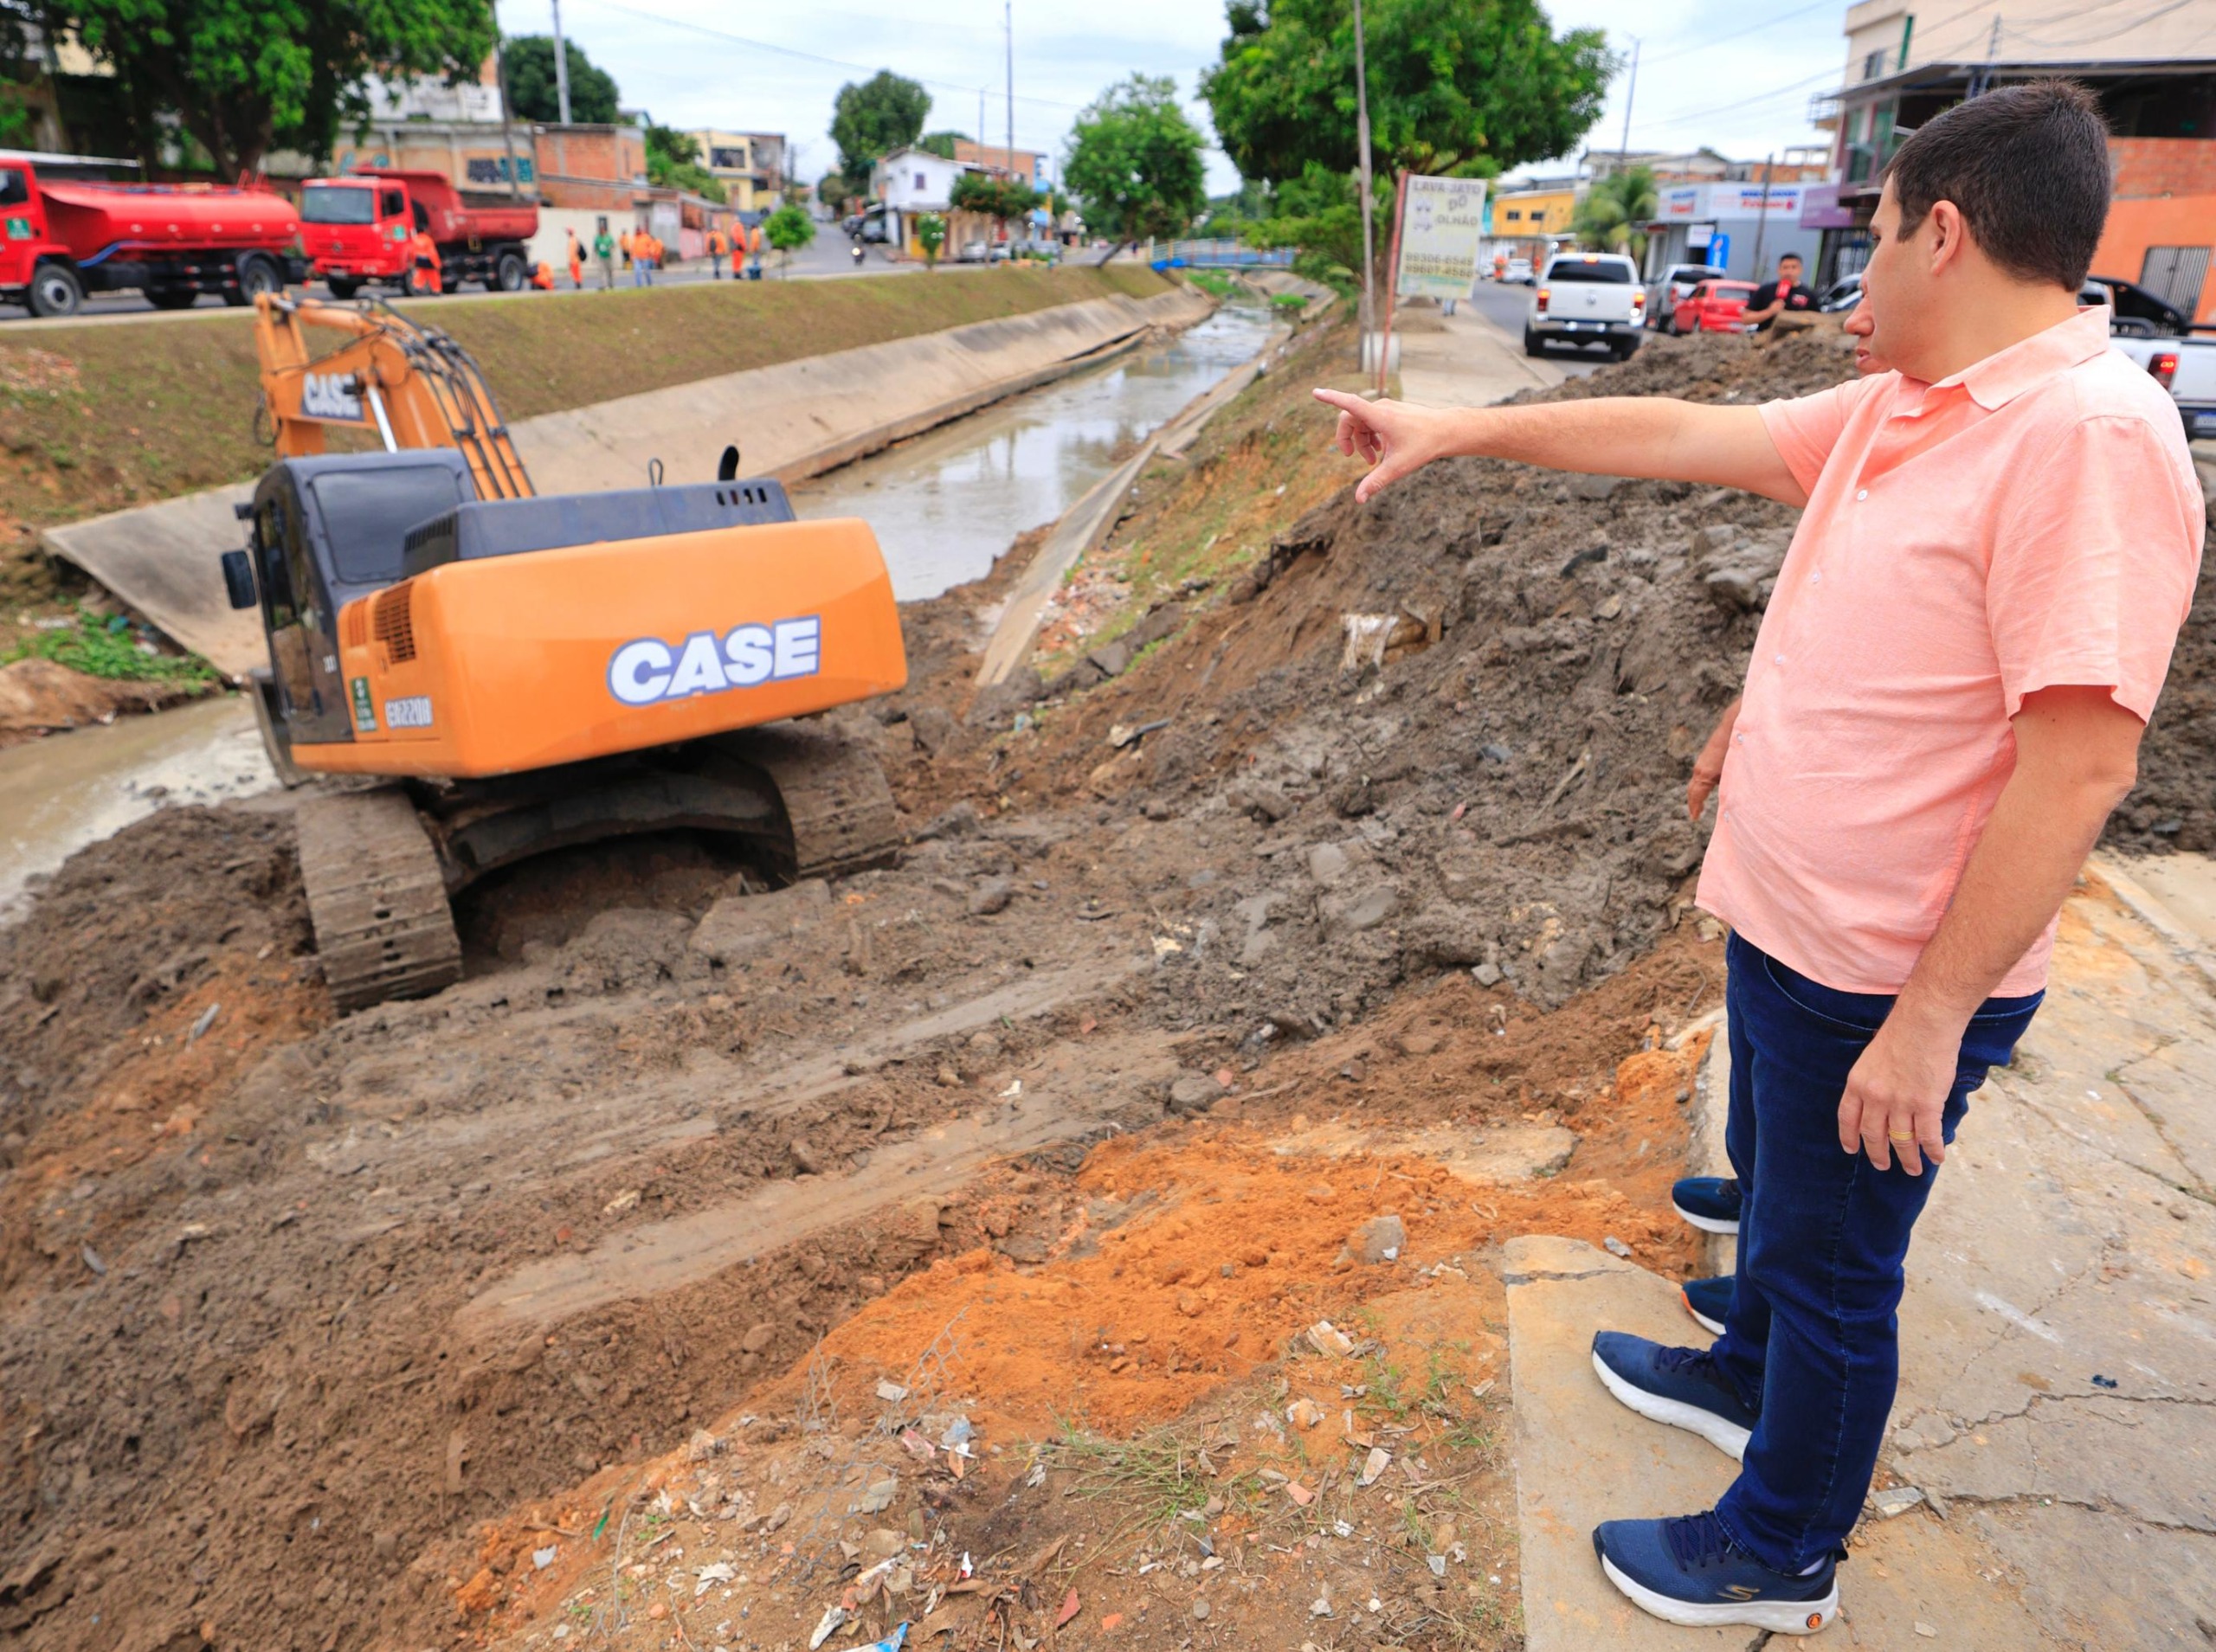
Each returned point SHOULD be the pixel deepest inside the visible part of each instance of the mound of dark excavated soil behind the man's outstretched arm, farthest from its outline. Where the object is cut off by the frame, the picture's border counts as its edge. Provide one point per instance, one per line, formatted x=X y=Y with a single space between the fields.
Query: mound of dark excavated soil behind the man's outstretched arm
x=1453 y=727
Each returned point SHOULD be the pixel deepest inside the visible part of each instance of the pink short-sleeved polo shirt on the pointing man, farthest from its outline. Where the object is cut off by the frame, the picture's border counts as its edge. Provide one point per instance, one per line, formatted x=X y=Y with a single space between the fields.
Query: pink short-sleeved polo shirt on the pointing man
x=2029 y=524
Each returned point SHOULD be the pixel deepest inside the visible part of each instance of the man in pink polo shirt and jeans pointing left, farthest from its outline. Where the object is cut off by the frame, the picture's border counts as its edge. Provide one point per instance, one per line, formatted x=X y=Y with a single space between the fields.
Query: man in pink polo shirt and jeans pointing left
x=2000 y=541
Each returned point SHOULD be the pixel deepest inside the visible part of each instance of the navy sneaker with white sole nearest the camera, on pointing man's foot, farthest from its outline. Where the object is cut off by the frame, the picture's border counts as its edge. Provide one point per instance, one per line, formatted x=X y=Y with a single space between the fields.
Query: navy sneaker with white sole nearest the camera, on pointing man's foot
x=1690 y=1571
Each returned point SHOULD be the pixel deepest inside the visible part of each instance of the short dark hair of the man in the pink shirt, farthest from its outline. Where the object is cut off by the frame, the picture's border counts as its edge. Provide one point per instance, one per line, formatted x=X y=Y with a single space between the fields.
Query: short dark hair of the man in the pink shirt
x=2029 y=172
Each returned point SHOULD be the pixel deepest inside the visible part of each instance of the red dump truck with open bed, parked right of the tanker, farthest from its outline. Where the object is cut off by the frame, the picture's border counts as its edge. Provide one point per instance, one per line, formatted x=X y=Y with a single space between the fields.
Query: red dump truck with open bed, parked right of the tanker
x=360 y=231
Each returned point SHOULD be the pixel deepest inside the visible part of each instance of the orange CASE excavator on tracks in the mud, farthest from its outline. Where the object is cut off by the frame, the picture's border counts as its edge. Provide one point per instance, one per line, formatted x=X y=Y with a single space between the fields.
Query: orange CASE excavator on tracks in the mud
x=531 y=672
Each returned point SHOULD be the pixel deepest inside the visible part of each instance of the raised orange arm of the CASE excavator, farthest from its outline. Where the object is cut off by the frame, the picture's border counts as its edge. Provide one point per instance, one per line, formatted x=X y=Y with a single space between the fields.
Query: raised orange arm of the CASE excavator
x=407 y=382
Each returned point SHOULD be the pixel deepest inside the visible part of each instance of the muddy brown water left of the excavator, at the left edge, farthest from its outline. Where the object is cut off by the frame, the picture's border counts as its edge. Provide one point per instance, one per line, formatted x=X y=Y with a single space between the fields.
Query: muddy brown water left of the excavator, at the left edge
x=68 y=792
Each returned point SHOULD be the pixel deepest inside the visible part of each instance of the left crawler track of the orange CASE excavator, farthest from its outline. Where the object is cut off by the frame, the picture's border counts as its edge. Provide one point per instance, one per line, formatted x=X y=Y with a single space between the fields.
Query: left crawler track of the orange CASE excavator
x=380 y=909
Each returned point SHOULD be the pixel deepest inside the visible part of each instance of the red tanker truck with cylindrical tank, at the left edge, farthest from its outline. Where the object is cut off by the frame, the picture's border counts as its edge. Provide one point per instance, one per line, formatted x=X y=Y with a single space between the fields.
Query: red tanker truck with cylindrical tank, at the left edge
x=63 y=238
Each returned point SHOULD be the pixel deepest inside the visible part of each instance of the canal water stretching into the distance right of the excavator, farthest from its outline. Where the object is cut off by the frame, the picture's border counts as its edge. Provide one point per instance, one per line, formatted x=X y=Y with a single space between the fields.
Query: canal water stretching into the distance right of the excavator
x=947 y=504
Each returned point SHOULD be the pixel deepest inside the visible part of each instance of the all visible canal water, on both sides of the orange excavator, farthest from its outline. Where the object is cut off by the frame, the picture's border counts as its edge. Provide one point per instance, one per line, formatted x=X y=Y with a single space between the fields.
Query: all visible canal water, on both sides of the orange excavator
x=945 y=506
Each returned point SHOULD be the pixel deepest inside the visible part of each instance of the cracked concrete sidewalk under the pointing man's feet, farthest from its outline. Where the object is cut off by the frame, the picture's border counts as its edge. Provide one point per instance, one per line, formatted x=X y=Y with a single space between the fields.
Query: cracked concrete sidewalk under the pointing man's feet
x=2053 y=1454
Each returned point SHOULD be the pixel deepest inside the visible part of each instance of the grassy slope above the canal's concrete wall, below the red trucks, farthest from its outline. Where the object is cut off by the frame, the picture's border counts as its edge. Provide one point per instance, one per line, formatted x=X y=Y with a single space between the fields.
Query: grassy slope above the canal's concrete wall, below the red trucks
x=112 y=415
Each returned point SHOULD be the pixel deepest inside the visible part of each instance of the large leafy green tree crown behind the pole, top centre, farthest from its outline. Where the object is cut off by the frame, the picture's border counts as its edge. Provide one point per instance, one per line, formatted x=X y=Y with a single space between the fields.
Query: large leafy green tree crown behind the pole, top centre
x=1457 y=87
